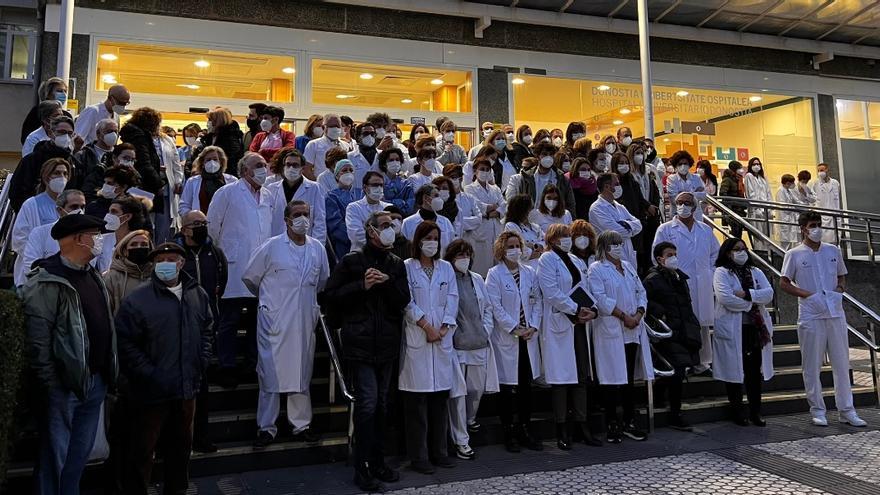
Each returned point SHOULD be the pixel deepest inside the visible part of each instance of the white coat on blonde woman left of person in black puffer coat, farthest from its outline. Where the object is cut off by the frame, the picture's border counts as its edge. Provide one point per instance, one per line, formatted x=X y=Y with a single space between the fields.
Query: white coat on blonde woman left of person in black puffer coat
x=612 y=290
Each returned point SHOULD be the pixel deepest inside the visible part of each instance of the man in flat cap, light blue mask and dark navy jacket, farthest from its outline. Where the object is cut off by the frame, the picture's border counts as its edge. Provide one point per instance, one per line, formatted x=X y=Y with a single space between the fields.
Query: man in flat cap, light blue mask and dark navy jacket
x=164 y=345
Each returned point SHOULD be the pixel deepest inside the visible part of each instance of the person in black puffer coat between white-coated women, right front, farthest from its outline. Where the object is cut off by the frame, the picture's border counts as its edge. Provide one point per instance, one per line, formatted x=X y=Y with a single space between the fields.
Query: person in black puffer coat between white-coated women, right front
x=669 y=300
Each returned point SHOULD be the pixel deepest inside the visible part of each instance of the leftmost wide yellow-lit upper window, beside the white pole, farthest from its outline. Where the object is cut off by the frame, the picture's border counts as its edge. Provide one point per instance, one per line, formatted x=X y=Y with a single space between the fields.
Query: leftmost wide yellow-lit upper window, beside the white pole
x=182 y=71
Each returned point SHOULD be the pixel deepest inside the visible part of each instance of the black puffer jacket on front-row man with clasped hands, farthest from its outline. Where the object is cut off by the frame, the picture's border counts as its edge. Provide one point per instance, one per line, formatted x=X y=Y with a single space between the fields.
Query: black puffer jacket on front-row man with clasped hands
x=371 y=320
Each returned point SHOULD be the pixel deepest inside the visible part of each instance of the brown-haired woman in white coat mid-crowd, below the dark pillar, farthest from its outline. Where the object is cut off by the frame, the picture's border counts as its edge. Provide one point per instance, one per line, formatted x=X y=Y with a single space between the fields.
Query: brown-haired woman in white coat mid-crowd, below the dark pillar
x=492 y=207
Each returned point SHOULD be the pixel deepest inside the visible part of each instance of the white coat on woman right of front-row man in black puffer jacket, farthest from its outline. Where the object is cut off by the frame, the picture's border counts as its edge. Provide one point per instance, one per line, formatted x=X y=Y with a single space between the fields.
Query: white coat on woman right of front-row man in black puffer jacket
x=428 y=366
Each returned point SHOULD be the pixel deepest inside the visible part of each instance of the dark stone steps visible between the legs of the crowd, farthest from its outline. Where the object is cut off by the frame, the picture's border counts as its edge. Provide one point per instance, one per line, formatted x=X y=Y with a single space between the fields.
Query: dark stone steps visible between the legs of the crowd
x=232 y=423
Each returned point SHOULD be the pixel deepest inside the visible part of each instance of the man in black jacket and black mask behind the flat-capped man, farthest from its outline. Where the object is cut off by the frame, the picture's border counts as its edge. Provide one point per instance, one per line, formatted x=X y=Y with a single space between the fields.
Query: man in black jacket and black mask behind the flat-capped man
x=206 y=264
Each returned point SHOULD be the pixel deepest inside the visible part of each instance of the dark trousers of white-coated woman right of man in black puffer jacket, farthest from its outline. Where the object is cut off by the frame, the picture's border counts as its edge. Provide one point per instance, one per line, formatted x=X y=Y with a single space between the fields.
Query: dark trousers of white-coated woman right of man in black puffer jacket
x=427 y=425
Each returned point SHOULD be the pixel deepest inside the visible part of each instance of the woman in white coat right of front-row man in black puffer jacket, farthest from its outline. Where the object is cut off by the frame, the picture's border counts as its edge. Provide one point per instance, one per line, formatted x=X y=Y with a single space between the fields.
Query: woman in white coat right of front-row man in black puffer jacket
x=427 y=372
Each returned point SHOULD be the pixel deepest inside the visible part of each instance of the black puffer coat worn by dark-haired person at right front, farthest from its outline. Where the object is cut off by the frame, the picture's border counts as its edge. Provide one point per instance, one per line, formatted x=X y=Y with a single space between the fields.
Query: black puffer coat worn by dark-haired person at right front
x=669 y=299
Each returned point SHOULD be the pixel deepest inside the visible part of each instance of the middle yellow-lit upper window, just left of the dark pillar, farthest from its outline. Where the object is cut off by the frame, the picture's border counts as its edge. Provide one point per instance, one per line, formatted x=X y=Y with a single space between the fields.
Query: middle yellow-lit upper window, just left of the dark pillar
x=390 y=86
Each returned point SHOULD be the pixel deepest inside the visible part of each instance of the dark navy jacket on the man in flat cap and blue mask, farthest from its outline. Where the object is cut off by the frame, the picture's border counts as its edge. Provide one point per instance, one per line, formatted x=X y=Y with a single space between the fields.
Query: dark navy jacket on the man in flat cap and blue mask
x=165 y=343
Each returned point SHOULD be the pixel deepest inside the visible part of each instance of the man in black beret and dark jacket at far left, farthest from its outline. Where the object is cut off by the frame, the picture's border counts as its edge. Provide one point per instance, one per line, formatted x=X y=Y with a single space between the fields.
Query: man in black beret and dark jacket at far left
x=71 y=350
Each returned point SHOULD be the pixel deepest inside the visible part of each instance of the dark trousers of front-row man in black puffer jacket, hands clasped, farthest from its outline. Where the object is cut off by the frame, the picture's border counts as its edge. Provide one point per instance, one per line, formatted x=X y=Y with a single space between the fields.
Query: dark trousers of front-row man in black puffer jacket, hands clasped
x=371 y=383
